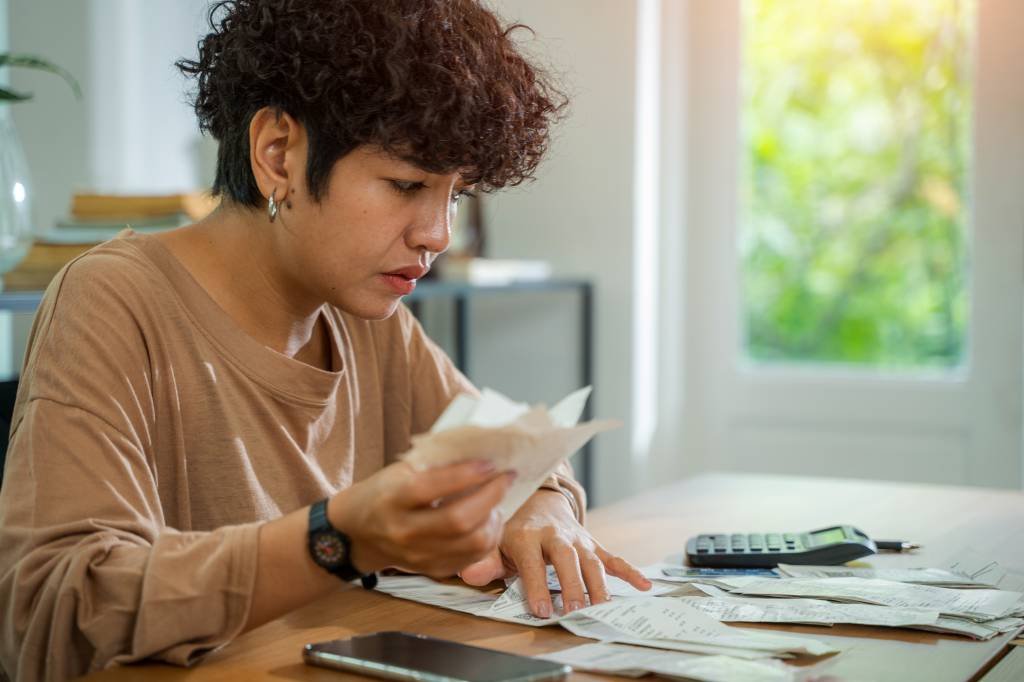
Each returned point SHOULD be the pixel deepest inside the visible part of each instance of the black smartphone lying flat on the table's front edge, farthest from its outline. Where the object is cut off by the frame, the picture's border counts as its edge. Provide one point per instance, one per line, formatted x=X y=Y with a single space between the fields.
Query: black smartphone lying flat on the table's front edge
x=402 y=656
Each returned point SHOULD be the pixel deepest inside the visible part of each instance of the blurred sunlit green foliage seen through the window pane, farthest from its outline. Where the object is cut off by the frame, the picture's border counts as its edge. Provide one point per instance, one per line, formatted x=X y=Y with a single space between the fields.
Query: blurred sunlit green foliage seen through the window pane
x=857 y=120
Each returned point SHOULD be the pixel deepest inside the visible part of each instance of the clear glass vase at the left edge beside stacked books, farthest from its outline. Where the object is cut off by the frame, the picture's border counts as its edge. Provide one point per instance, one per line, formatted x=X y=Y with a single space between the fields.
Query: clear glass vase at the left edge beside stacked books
x=16 y=222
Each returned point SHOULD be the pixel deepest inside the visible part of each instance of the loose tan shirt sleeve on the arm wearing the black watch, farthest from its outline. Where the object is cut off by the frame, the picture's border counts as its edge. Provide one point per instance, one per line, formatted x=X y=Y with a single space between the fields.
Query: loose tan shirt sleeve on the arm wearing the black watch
x=91 y=575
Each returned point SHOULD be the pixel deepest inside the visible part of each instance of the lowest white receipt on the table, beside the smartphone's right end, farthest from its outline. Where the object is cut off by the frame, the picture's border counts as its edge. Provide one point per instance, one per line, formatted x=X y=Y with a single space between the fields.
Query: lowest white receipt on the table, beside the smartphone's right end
x=635 y=662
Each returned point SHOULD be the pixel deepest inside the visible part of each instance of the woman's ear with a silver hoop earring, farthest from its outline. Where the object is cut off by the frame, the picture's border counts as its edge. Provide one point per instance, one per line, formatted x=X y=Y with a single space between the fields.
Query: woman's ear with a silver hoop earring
x=276 y=151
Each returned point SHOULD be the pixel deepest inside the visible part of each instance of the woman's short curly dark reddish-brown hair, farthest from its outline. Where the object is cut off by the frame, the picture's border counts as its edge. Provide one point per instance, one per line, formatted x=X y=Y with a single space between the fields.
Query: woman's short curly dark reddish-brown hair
x=440 y=83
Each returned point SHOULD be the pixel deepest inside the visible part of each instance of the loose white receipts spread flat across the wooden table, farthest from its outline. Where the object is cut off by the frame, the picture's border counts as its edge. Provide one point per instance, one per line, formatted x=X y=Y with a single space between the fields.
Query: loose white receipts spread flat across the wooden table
x=678 y=628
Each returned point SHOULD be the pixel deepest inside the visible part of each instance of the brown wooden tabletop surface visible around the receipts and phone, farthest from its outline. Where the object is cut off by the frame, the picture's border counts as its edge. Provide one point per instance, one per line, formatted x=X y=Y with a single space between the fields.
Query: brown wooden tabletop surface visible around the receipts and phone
x=651 y=527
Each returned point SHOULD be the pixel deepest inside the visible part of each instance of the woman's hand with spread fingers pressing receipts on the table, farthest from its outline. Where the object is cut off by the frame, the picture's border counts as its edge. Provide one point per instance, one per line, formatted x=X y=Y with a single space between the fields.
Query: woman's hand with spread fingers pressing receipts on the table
x=546 y=531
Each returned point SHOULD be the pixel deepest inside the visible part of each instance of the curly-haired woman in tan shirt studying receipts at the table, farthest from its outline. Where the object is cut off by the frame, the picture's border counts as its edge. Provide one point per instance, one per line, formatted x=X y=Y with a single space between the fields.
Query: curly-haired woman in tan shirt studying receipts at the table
x=208 y=431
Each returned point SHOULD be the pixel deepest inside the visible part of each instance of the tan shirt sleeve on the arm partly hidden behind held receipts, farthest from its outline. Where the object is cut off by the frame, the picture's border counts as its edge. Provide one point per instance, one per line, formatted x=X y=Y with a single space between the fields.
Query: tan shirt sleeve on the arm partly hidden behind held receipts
x=436 y=382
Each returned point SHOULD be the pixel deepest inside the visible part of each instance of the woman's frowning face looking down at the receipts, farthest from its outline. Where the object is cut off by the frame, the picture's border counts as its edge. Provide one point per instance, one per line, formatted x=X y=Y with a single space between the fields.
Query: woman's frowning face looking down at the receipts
x=376 y=232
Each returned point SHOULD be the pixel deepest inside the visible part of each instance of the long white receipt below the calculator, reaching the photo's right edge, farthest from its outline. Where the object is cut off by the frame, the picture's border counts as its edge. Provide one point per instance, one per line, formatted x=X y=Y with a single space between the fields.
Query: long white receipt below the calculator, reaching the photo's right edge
x=979 y=605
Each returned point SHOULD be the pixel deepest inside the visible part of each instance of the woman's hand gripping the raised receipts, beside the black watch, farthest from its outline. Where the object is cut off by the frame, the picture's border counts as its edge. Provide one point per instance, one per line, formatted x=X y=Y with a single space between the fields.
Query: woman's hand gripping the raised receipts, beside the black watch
x=435 y=523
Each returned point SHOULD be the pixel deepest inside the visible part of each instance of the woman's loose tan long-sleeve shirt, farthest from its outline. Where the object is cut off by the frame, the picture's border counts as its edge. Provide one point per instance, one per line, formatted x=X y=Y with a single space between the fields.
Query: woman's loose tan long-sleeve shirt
x=152 y=437
